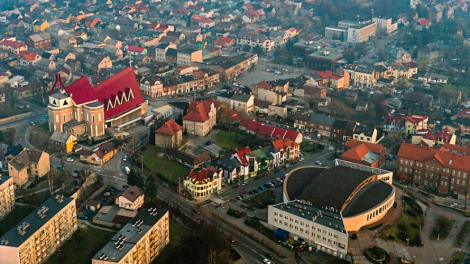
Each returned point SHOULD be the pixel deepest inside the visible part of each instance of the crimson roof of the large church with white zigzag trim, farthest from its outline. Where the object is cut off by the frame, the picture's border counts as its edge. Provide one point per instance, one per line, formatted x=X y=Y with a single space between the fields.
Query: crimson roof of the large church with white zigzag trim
x=124 y=83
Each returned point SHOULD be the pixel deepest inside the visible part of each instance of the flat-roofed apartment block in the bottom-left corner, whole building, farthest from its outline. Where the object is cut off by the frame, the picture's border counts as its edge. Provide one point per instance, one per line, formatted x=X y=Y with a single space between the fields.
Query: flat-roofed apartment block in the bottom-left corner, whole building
x=41 y=233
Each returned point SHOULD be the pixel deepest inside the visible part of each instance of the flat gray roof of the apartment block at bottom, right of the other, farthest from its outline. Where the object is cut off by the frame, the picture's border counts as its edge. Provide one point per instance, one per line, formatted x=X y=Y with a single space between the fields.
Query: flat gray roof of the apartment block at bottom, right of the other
x=131 y=234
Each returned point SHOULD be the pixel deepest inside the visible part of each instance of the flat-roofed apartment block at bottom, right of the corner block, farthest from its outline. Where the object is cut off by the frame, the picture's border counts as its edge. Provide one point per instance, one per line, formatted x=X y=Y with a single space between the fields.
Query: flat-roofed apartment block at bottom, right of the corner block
x=139 y=241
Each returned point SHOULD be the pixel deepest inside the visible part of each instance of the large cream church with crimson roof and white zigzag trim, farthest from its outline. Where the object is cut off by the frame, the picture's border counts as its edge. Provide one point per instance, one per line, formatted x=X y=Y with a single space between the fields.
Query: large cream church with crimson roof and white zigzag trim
x=116 y=102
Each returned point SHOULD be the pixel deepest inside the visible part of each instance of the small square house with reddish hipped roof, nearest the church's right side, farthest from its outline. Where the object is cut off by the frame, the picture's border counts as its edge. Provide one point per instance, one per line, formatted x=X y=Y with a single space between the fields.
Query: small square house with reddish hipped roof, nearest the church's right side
x=169 y=135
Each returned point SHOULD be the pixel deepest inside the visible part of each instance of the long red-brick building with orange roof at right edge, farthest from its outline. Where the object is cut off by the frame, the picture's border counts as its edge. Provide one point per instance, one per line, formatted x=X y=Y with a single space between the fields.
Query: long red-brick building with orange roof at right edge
x=439 y=170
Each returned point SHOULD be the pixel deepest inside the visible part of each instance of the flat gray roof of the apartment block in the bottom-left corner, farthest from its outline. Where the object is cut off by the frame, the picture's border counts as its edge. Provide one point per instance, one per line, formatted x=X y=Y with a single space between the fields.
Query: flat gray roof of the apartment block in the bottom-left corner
x=35 y=223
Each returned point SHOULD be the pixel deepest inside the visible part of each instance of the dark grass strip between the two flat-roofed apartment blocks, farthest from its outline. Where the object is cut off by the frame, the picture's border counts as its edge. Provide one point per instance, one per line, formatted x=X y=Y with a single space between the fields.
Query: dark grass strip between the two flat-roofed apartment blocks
x=83 y=245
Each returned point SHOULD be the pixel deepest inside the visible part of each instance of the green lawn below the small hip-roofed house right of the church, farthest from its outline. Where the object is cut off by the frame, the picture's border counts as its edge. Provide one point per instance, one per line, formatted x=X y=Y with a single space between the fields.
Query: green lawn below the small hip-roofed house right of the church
x=169 y=169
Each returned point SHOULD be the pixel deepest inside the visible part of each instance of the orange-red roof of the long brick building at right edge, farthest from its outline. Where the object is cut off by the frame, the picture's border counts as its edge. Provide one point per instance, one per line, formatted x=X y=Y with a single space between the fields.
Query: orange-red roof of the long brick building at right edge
x=448 y=159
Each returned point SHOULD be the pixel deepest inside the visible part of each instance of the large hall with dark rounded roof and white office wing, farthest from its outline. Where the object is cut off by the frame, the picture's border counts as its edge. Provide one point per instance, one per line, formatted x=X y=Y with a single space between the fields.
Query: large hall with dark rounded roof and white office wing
x=322 y=205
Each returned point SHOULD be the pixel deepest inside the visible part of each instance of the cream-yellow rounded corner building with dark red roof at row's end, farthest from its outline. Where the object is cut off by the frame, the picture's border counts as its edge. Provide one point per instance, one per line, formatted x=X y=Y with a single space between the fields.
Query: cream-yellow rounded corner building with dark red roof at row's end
x=204 y=182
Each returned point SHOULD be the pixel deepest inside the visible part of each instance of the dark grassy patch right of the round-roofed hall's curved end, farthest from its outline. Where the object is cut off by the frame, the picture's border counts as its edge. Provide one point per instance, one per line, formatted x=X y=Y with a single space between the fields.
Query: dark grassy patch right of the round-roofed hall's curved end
x=406 y=220
